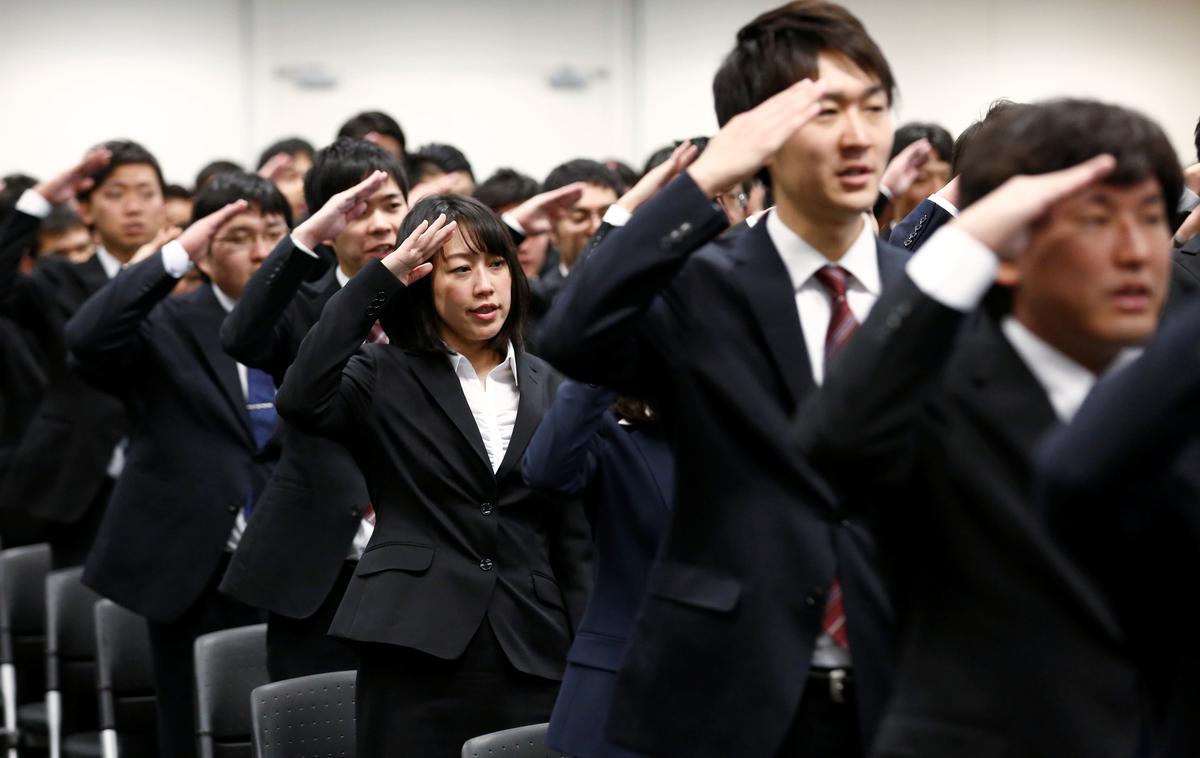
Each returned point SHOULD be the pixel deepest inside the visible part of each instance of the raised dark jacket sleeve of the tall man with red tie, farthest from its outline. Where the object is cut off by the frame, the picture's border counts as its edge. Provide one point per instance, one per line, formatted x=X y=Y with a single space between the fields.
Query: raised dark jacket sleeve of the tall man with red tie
x=595 y=329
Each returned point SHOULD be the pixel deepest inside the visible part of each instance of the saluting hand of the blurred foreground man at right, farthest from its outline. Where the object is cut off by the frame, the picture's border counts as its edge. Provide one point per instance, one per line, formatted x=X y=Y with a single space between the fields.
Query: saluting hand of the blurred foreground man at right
x=1004 y=220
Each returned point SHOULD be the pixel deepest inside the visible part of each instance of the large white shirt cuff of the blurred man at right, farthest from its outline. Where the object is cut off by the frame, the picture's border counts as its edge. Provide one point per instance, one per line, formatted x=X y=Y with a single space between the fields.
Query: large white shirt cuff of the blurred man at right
x=955 y=269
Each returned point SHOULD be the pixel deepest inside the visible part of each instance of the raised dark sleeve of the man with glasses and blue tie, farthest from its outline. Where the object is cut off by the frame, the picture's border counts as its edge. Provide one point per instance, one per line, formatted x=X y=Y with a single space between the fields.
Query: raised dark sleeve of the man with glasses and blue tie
x=105 y=334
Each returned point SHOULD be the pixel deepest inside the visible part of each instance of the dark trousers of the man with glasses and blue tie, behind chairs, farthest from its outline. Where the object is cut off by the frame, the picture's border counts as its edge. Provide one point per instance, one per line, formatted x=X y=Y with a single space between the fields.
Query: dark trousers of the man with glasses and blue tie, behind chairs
x=175 y=667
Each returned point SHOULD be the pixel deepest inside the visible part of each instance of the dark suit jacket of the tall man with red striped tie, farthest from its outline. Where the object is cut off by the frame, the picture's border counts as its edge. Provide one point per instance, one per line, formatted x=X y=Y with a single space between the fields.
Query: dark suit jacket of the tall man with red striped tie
x=724 y=641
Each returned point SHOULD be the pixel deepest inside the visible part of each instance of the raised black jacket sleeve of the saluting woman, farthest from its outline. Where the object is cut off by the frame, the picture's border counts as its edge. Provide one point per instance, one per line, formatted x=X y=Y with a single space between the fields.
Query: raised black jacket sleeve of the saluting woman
x=328 y=389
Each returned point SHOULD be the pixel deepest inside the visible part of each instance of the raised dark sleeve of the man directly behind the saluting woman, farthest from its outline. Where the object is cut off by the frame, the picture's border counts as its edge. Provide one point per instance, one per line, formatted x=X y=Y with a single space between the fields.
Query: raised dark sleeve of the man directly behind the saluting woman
x=256 y=333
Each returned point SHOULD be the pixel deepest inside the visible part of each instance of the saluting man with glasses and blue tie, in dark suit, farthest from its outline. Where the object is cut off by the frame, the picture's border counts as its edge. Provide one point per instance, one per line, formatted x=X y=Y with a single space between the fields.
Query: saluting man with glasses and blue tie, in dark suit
x=201 y=441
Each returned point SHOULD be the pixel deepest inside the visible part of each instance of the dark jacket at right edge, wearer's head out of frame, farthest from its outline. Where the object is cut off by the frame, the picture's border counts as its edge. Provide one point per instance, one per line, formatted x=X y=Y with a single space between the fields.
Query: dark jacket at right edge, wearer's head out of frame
x=1120 y=491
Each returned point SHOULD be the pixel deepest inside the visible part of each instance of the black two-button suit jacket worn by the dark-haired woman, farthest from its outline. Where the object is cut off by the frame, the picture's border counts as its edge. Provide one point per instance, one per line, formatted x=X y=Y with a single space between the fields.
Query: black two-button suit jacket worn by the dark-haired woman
x=455 y=544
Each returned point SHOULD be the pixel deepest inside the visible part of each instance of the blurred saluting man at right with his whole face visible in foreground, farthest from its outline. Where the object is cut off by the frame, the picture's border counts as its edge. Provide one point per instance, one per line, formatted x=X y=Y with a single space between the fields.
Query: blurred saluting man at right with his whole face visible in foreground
x=931 y=422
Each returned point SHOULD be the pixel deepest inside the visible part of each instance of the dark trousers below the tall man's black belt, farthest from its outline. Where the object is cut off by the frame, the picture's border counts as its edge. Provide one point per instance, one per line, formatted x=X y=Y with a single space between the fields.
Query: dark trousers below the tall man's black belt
x=824 y=727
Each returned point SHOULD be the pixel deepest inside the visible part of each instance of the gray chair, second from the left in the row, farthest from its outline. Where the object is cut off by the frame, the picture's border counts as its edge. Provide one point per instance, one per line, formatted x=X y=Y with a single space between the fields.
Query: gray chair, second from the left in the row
x=73 y=719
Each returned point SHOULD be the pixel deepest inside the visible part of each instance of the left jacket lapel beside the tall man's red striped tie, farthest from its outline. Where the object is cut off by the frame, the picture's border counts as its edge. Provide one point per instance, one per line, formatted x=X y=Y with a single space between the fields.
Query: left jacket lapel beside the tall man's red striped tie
x=769 y=290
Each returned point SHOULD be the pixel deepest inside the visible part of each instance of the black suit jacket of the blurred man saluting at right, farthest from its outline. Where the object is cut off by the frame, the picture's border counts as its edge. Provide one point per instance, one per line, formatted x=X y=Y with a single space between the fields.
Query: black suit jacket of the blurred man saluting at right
x=1007 y=649
